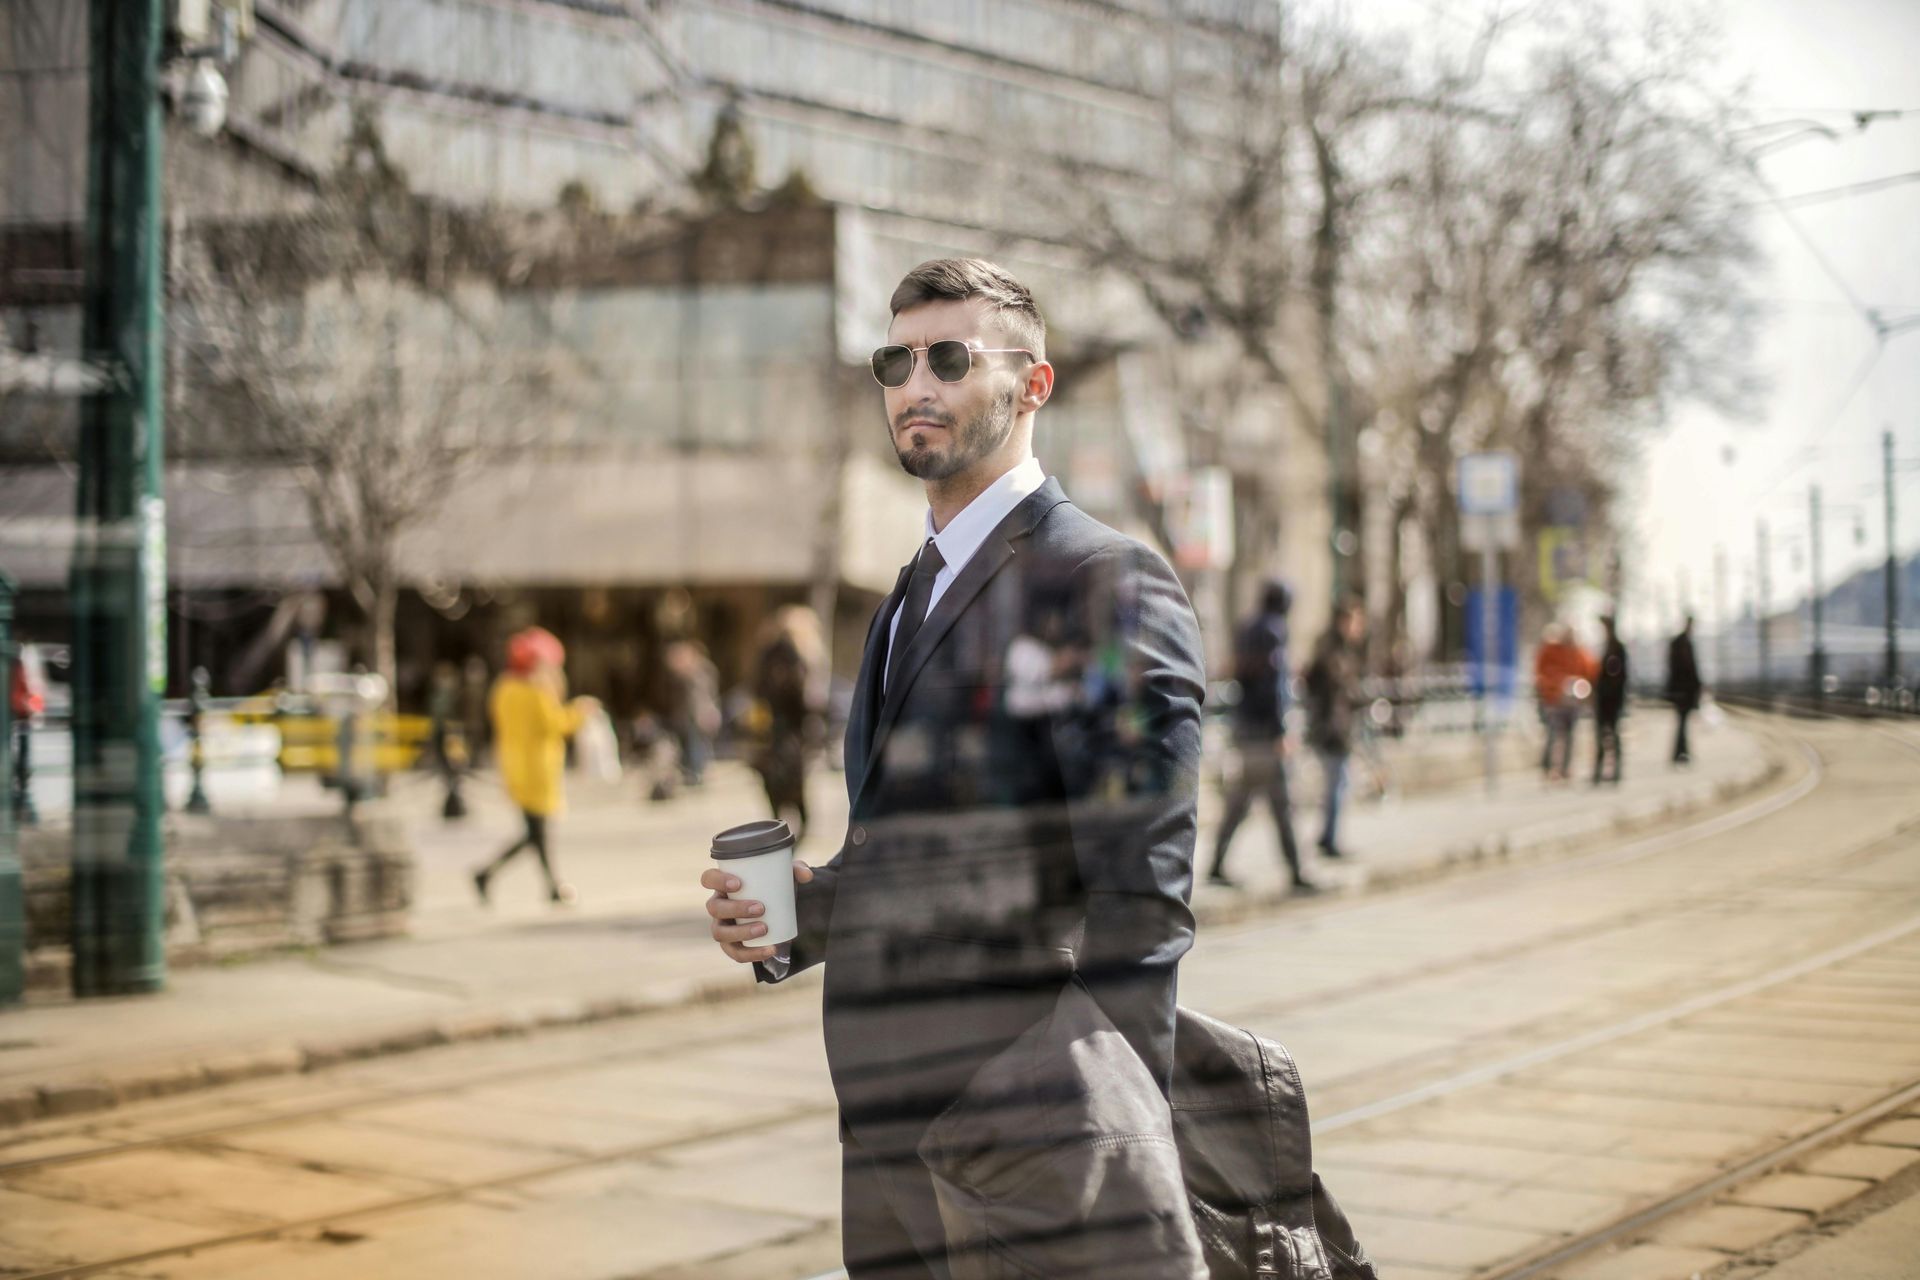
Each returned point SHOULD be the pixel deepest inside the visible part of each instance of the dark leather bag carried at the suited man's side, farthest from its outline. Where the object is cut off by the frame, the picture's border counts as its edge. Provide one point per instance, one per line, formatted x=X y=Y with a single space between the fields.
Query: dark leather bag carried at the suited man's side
x=1063 y=1160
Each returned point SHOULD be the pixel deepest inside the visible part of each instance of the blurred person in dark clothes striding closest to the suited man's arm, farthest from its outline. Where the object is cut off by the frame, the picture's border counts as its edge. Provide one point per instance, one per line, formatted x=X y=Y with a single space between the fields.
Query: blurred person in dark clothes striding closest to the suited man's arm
x=1260 y=744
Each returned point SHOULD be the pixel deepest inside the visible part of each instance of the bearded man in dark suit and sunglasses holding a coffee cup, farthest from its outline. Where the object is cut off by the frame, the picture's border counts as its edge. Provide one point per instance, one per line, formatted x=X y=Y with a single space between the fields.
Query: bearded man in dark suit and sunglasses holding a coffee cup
x=988 y=865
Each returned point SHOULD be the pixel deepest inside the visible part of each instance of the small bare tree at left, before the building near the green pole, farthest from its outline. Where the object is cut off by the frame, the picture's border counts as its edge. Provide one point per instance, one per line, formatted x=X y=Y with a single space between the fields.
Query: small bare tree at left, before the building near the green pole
x=352 y=346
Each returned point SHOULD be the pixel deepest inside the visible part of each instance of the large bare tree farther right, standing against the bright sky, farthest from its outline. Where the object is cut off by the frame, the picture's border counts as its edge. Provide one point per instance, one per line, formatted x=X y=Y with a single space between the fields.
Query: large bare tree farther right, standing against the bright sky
x=1558 y=281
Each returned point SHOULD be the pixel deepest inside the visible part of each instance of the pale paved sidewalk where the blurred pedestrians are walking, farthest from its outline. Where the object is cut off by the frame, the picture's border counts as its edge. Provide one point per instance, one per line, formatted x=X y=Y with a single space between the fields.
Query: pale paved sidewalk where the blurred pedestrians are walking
x=638 y=937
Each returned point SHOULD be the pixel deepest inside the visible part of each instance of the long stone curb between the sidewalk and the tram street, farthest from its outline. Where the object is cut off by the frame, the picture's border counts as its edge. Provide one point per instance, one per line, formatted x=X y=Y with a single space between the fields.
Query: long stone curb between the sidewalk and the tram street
x=105 y=1093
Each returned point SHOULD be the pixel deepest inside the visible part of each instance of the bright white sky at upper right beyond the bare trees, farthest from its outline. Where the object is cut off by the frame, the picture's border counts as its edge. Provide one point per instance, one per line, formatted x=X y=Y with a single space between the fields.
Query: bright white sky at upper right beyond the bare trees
x=1706 y=481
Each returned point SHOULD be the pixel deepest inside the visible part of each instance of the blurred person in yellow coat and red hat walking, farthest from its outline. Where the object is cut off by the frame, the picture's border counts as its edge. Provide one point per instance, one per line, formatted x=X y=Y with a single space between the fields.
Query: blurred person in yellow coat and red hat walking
x=531 y=728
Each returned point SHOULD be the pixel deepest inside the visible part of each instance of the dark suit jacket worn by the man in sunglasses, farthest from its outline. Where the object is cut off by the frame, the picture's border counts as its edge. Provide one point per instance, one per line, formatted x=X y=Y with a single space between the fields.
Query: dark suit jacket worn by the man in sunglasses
x=992 y=857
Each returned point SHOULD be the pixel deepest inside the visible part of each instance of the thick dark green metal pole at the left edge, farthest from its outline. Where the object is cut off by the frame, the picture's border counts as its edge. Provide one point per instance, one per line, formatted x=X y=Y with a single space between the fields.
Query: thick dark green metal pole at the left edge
x=120 y=565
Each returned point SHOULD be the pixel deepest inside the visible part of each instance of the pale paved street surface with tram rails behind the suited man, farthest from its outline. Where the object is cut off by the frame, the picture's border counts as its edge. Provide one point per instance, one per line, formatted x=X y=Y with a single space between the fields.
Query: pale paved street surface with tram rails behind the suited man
x=1499 y=1064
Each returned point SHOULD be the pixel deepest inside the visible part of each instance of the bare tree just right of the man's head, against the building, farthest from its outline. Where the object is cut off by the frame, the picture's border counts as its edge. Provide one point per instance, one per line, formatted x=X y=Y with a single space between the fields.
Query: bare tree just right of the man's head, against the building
x=1272 y=181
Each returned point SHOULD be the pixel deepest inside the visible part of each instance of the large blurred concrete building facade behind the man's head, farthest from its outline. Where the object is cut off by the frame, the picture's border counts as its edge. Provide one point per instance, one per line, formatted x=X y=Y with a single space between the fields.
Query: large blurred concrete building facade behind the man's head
x=717 y=435
